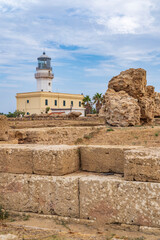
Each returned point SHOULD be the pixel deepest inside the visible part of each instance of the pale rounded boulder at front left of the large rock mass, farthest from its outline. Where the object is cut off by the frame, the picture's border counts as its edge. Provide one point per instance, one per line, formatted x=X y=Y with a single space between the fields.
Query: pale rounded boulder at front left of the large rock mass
x=121 y=109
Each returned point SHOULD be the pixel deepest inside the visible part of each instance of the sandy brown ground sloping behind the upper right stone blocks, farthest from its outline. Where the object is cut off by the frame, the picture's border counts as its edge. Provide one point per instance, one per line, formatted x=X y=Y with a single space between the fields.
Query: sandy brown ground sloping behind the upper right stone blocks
x=134 y=136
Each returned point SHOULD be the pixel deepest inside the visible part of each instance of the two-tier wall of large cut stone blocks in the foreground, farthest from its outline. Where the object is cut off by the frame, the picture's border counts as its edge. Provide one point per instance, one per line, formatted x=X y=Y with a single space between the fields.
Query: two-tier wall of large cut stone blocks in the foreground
x=26 y=184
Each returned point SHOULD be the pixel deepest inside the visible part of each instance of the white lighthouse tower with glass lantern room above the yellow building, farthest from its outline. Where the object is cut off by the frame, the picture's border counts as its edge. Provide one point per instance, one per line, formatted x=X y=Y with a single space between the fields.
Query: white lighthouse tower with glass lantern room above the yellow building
x=44 y=74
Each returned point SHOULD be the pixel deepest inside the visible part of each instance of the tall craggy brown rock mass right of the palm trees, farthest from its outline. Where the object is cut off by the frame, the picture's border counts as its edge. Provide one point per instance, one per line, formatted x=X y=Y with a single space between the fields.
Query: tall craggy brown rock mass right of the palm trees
x=129 y=101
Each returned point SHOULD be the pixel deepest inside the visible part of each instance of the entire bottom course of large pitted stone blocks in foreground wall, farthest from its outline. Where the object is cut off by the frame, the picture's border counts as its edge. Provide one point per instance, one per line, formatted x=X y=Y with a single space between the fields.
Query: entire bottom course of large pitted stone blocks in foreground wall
x=106 y=199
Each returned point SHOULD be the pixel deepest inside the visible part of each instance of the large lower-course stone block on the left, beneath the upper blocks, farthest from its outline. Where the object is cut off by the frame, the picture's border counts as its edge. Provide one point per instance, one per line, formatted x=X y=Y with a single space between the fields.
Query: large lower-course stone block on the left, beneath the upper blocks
x=40 y=194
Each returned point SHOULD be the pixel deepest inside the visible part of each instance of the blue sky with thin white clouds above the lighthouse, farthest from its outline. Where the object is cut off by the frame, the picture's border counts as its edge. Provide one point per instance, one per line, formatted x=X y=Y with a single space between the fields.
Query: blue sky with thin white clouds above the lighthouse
x=89 y=43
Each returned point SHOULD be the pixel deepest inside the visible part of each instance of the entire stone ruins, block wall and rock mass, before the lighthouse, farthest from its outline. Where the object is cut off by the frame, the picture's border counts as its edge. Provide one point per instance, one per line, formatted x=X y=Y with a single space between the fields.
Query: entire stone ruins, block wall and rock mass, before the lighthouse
x=77 y=171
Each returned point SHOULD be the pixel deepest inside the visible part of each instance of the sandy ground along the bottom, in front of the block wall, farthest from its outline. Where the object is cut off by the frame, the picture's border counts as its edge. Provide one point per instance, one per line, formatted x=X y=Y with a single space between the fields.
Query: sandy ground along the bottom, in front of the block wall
x=46 y=229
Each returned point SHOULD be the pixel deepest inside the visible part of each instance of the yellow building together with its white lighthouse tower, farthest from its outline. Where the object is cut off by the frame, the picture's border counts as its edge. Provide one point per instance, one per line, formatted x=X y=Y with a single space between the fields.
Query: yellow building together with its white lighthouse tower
x=37 y=102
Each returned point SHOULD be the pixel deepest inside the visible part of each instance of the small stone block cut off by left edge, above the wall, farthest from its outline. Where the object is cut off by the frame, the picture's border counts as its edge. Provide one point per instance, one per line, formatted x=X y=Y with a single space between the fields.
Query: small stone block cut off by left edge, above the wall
x=4 y=127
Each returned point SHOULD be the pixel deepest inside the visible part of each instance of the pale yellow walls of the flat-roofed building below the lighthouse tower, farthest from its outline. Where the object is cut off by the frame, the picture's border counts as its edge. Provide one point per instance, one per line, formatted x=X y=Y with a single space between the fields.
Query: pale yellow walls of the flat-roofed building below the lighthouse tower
x=37 y=101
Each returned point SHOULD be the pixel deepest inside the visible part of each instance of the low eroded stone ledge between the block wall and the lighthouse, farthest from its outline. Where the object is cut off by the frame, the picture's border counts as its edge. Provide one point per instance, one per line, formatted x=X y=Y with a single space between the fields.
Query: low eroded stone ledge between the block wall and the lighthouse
x=53 y=136
